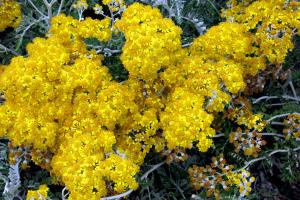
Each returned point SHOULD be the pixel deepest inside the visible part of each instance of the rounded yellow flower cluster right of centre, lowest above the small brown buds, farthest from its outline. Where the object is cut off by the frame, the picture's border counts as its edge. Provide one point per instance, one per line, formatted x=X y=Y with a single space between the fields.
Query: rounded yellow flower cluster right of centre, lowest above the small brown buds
x=184 y=121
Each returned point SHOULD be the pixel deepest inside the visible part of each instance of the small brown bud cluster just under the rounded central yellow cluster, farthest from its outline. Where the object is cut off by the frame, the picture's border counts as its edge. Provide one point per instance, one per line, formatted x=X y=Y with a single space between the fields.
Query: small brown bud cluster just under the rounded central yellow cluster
x=176 y=155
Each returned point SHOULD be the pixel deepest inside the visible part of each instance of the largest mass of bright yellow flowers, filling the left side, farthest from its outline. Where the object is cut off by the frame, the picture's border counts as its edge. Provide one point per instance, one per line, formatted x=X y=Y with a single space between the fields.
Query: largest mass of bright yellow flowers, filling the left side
x=61 y=99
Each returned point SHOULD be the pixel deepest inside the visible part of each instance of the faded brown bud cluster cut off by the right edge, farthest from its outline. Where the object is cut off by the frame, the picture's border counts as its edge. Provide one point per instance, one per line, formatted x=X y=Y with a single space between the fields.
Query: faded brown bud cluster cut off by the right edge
x=292 y=126
